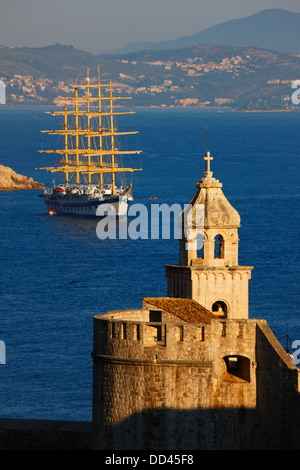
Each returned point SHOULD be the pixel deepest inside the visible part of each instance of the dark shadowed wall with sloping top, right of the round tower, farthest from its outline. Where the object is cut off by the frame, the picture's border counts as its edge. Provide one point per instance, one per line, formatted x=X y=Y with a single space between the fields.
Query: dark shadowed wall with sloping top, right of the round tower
x=278 y=399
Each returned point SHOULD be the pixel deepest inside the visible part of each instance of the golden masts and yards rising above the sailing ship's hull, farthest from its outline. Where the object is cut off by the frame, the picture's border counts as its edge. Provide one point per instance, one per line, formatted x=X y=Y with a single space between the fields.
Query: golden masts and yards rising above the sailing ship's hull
x=87 y=160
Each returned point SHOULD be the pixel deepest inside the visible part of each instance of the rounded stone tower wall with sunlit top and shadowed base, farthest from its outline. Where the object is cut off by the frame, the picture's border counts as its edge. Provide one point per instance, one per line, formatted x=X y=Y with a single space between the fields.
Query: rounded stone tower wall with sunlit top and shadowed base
x=173 y=394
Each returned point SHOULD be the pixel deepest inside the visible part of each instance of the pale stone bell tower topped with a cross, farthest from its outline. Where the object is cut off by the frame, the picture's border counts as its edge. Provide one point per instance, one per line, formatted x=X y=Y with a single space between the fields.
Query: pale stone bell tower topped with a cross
x=208 y=269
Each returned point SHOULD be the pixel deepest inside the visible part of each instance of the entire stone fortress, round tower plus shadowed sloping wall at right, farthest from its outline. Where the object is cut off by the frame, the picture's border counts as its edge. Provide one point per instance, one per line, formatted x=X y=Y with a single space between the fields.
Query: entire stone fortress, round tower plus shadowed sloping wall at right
x=172 y=385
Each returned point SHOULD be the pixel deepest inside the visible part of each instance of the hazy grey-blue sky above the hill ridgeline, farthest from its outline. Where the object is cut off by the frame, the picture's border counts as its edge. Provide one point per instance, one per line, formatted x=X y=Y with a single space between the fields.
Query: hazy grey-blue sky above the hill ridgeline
x=99 y=26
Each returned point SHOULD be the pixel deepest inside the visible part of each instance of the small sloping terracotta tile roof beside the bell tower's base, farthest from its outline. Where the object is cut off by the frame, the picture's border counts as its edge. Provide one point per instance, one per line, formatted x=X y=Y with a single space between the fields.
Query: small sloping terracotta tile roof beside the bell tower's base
x=187 y=310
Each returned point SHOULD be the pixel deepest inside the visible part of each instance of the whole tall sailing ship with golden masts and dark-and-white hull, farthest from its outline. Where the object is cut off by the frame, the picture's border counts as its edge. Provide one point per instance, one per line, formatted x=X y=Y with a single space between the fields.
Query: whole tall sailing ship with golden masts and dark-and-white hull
x=90 y=159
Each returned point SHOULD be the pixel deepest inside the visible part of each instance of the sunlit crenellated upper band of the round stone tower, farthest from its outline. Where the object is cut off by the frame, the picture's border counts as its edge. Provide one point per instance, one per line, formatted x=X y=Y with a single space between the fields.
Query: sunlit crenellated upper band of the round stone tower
x=129 y=335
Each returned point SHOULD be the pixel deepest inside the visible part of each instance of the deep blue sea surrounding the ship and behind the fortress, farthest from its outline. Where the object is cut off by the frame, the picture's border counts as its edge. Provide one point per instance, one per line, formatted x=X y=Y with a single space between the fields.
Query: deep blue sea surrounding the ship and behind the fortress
x=56 y=274
